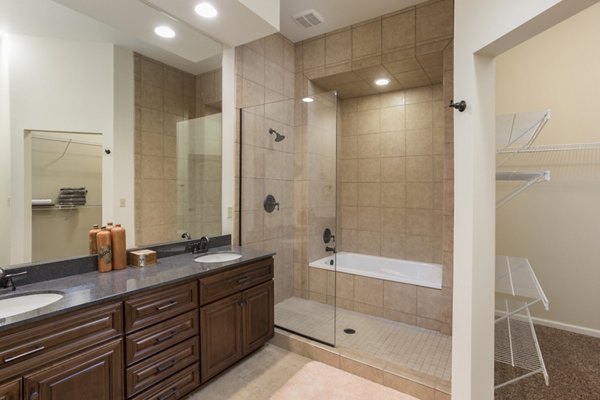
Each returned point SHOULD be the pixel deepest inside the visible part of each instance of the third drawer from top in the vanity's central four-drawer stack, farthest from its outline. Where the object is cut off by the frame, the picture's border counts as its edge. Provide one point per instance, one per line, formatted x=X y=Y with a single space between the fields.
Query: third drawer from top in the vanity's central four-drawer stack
x=156 y=368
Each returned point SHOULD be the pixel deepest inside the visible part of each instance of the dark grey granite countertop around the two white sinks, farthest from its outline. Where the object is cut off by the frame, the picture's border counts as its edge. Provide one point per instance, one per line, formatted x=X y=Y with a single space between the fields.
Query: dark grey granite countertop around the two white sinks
x=93 y=287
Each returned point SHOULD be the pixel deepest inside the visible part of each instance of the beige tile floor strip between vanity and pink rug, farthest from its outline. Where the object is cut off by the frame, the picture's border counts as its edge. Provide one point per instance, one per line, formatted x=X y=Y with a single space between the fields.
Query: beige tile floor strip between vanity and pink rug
x=255 y=378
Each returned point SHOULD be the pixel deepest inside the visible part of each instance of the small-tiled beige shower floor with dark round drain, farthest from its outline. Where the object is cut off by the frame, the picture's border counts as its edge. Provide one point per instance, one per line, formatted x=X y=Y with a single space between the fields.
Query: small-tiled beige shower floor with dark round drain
x=417 y=348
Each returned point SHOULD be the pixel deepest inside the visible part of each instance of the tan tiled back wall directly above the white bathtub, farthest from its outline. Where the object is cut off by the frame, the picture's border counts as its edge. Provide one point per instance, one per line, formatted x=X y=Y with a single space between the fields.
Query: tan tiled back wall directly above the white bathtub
x=391 y=175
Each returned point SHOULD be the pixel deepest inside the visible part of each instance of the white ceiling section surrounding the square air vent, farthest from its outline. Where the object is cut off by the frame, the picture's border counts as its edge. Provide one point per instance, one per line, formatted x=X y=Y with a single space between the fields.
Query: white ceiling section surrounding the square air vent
x=336 y=13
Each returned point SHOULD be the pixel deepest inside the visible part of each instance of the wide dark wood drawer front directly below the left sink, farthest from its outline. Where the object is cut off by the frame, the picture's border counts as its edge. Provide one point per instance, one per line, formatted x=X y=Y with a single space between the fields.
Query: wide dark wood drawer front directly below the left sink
x=49 y=339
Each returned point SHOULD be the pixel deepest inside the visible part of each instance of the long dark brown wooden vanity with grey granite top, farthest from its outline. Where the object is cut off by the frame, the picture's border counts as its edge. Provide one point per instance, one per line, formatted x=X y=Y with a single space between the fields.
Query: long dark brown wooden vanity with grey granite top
x=136 y=334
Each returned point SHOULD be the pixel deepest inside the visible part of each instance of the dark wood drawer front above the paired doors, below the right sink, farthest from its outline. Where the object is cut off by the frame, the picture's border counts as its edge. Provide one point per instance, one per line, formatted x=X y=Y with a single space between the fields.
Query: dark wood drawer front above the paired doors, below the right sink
x=223 y=284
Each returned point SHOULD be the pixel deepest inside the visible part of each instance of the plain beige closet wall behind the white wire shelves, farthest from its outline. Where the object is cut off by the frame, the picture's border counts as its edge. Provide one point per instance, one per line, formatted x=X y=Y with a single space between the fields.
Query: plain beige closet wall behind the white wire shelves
x=557 y=224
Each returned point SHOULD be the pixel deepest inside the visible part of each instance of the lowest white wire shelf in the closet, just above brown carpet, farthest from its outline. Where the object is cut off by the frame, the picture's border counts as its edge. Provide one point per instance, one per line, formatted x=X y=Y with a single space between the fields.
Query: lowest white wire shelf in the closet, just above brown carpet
x=516 y=344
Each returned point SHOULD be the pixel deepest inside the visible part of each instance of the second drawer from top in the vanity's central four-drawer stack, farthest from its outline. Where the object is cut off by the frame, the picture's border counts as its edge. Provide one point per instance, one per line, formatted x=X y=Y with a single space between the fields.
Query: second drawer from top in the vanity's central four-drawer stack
x=150 y=341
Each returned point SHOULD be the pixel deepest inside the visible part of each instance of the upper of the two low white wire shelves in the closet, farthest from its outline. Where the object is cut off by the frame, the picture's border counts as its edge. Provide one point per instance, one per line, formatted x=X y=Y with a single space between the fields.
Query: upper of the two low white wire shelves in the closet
x=516 y=281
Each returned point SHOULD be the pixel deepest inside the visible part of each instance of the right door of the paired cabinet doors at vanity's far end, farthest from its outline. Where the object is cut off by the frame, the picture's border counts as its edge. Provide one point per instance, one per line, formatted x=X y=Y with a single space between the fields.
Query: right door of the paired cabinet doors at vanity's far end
x=258 y=316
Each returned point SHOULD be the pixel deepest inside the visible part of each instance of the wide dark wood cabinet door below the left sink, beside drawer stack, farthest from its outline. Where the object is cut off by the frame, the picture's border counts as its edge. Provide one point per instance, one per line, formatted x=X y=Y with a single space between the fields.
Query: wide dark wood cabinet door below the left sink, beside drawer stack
x=92 y=375
